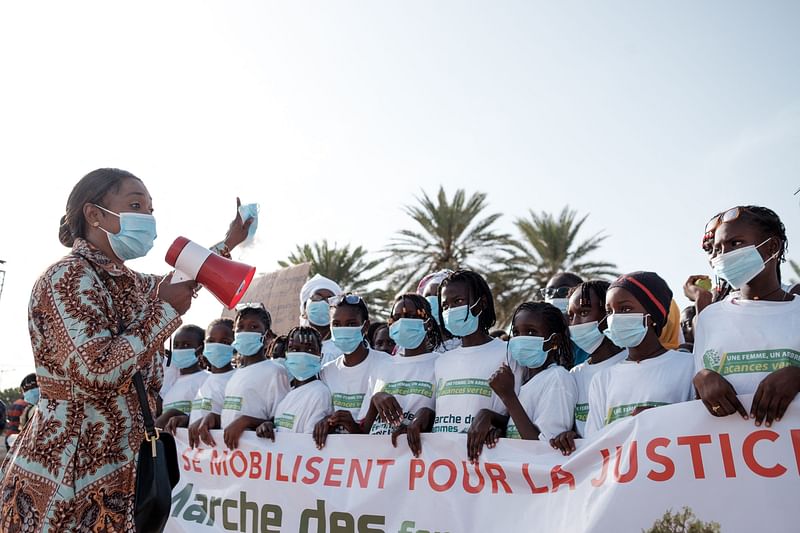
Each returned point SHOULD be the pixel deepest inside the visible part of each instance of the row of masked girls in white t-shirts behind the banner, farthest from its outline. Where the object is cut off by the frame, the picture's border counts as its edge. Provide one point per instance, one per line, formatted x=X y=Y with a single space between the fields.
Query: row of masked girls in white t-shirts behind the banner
x=583 y=355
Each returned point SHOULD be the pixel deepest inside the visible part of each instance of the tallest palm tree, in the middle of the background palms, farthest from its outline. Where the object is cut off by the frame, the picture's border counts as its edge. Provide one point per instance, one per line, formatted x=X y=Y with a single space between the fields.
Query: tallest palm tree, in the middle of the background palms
x=449 y=233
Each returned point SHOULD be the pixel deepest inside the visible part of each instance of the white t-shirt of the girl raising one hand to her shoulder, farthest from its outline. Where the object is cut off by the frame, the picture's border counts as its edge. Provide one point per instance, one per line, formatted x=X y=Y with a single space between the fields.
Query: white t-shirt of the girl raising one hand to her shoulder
x=549 y=401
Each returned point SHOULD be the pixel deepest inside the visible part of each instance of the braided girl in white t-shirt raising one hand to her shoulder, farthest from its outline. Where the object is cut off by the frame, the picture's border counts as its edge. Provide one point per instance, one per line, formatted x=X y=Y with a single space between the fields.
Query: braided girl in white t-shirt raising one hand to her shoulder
x=545 y=404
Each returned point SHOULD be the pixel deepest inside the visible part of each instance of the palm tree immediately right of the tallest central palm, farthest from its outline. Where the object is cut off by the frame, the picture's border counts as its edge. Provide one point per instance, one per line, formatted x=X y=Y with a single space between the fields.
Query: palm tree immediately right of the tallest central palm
x=549 y=245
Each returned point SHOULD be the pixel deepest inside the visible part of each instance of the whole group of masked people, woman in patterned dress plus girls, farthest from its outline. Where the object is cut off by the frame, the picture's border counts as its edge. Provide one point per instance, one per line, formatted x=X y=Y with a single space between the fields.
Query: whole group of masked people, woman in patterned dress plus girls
x=581 y=355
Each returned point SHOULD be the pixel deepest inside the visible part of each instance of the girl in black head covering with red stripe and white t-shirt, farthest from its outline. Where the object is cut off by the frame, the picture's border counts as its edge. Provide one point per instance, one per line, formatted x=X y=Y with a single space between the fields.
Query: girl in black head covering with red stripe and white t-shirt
x=638 y=306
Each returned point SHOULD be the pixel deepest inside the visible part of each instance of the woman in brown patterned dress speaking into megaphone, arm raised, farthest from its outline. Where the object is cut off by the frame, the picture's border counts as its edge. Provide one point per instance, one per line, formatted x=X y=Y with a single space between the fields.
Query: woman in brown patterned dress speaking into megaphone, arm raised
x=94 y=324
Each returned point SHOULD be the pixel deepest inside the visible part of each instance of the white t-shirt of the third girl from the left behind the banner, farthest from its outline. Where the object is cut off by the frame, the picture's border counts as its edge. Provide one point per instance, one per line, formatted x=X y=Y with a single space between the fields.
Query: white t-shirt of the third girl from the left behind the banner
x=255 y=390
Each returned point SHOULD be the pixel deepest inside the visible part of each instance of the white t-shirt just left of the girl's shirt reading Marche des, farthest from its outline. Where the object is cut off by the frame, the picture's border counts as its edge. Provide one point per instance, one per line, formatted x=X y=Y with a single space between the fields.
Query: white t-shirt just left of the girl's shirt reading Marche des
x=410 y=380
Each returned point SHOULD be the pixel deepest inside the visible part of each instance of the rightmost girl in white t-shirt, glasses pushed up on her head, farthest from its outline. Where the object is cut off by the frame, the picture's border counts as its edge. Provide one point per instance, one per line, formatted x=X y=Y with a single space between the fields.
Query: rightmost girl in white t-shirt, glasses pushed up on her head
x=749 y=342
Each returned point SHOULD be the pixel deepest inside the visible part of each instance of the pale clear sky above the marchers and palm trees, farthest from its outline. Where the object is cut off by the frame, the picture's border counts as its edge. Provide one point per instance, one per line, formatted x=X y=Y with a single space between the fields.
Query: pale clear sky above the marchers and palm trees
x=649 y=116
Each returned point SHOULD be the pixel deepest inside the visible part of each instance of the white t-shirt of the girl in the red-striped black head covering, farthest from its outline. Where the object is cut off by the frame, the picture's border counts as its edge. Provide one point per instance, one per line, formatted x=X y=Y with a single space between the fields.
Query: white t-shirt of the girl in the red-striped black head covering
x=619 y=389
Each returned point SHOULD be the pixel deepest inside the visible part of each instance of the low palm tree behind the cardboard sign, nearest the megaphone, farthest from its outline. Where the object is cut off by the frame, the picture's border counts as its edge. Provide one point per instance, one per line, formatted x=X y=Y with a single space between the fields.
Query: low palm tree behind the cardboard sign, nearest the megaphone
x=350 y=268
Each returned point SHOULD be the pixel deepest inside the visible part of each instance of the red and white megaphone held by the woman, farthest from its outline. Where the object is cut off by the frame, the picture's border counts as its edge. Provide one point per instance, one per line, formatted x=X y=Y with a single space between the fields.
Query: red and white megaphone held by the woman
x=227 y=280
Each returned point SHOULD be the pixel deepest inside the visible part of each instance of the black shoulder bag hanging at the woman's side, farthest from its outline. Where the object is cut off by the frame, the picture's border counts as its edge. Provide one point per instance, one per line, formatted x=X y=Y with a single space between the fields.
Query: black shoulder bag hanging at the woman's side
x=157 y=471
